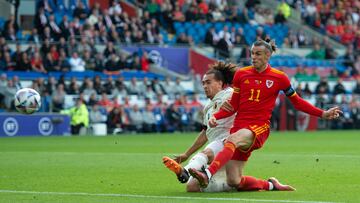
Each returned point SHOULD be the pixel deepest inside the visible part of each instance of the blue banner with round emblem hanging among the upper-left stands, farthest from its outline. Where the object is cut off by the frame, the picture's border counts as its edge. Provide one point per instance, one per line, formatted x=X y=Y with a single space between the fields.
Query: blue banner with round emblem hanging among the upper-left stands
x=173 y=58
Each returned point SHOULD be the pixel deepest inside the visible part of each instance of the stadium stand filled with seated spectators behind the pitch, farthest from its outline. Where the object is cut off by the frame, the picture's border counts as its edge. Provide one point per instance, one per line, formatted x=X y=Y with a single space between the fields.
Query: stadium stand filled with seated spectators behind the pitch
x=81 y=49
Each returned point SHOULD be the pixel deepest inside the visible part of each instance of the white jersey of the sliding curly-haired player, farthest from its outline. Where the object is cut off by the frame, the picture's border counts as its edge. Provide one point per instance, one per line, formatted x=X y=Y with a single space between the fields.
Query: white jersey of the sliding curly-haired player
x=222 y=130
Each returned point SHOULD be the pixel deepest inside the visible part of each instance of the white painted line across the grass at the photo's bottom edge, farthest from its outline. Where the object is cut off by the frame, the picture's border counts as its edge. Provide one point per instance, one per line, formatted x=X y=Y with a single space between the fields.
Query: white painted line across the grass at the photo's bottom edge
x=155 y=197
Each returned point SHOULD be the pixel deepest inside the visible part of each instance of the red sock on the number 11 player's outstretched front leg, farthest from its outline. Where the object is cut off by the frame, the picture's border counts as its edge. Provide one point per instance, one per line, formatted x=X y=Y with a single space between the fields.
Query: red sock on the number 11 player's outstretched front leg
x=222 y=157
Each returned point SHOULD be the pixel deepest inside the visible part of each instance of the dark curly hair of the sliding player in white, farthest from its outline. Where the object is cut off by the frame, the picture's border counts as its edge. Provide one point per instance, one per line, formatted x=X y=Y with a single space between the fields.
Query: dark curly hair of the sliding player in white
x=223 y=71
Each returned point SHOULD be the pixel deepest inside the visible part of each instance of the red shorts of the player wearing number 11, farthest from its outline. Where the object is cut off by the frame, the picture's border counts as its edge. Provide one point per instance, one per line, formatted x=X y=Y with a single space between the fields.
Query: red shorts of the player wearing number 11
x=261 y=133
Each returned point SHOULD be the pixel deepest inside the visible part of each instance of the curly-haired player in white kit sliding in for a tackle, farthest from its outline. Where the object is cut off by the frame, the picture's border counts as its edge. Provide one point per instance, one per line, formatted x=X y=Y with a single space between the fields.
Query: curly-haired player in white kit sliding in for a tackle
x=217 y=86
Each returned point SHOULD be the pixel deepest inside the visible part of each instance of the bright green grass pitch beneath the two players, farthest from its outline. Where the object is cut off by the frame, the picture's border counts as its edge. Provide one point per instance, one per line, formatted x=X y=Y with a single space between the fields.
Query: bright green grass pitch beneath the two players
x=323 y=166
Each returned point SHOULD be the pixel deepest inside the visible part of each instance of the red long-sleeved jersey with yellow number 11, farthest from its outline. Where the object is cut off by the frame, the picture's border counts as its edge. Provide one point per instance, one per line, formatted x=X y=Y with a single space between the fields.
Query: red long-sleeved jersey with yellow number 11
x=255 y=93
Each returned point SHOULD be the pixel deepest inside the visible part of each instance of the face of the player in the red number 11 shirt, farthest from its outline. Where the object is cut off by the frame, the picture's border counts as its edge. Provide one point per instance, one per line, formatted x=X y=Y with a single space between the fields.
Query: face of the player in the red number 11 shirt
x=259 y=57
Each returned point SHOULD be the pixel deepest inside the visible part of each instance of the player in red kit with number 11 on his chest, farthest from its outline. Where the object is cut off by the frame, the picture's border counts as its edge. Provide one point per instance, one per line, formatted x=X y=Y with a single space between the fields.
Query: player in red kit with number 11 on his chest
x=256 y=88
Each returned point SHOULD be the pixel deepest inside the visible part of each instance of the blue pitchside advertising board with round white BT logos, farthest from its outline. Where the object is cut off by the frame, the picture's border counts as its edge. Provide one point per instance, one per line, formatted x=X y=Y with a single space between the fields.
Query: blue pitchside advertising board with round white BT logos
x=36 y=124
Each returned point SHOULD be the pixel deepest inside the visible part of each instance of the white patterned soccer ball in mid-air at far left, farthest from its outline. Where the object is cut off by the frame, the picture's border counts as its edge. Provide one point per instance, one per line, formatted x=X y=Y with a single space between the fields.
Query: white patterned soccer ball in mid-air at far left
x=27 y=101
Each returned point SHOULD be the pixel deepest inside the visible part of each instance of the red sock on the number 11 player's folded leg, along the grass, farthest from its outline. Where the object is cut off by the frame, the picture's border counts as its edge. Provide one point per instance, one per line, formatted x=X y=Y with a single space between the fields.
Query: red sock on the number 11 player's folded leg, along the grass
x=249 y=183
